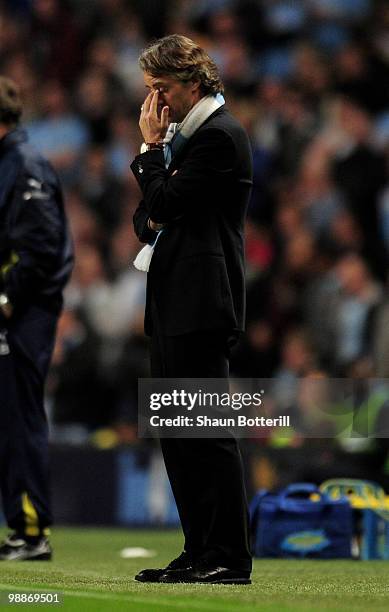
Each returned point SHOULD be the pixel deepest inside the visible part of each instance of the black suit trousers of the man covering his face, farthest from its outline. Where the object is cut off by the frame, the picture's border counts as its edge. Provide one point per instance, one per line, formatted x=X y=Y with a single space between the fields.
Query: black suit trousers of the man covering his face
x=206 y=475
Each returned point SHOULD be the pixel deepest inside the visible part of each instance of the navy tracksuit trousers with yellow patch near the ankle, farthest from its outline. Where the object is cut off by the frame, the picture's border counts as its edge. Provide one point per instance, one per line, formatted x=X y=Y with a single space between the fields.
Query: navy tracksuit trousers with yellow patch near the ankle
x=23 y=426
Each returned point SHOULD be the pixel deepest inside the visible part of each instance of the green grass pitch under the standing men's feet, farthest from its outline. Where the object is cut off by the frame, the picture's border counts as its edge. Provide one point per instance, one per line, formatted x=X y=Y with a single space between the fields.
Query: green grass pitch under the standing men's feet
x=89 y=573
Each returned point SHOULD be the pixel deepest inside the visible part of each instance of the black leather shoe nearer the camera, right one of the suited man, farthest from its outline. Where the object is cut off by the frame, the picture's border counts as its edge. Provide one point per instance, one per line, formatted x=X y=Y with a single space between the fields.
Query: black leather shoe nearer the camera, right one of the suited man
x=207 y=574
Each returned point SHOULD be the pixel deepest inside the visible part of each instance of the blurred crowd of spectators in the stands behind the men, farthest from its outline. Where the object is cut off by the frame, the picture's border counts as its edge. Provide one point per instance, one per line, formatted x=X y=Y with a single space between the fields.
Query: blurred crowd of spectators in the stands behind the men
x=309 y=80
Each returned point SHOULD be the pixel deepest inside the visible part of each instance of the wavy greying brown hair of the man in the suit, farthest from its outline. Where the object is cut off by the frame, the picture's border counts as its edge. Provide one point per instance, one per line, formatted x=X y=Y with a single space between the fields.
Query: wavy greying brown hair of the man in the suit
x=181 y=58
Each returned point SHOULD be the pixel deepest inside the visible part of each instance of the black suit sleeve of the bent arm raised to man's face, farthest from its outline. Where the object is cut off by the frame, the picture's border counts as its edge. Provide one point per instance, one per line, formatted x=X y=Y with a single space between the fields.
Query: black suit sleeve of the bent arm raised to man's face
x=209 y=162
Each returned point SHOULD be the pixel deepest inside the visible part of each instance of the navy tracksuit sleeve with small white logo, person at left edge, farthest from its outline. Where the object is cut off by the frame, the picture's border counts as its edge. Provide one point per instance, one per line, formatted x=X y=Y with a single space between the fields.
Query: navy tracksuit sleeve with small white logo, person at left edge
x=36 y=237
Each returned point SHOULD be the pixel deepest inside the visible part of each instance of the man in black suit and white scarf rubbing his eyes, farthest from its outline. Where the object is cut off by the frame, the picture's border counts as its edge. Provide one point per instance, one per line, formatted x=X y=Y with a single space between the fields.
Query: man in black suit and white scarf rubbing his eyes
x=195 y=177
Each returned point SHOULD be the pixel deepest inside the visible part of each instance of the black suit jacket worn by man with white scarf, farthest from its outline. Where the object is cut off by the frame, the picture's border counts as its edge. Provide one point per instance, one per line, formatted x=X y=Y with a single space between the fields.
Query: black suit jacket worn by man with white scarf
x=196 y=276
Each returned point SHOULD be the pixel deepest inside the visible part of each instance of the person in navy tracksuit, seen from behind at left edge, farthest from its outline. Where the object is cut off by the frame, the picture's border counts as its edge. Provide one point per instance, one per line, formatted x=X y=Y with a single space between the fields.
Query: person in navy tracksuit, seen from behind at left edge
x=36 y=259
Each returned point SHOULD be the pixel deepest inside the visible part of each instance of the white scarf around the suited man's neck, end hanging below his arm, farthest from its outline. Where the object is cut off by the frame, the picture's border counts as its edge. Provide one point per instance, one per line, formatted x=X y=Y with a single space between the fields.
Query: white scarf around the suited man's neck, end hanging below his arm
x=176 y=137
